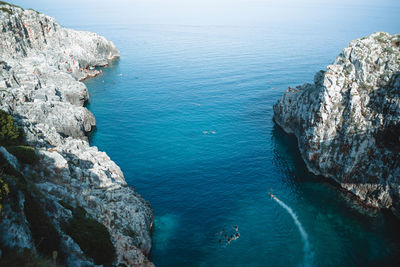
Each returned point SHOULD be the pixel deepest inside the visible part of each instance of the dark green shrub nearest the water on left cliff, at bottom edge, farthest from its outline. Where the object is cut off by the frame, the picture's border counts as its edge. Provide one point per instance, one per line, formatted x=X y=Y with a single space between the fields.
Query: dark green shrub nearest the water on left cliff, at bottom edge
x=92 y=237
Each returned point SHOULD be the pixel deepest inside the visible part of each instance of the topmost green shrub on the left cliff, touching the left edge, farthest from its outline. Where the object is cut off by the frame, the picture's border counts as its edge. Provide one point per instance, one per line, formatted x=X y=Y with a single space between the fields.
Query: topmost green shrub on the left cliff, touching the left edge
x=10 y=134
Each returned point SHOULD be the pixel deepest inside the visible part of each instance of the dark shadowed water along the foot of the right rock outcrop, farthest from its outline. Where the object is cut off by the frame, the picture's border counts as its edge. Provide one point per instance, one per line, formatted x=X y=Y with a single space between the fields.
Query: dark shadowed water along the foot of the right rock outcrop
x=330 y=214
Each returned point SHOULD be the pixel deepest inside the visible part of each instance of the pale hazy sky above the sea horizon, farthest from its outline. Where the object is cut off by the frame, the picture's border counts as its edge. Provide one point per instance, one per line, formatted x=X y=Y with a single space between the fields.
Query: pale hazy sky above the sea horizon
x=214 y=12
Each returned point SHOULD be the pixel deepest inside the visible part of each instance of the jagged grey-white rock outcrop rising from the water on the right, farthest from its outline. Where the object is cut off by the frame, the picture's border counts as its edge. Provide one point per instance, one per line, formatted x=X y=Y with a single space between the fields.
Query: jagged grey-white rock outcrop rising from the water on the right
x=347 y=122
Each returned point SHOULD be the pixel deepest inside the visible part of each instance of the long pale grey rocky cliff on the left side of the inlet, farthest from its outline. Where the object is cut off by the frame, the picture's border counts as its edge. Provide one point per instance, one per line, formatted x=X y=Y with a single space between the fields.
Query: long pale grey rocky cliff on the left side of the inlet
x=41 y=66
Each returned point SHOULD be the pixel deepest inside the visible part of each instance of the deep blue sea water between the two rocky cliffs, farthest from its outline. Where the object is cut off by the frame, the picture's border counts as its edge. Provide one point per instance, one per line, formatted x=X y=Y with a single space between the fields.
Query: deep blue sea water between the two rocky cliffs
x=177 y=81
